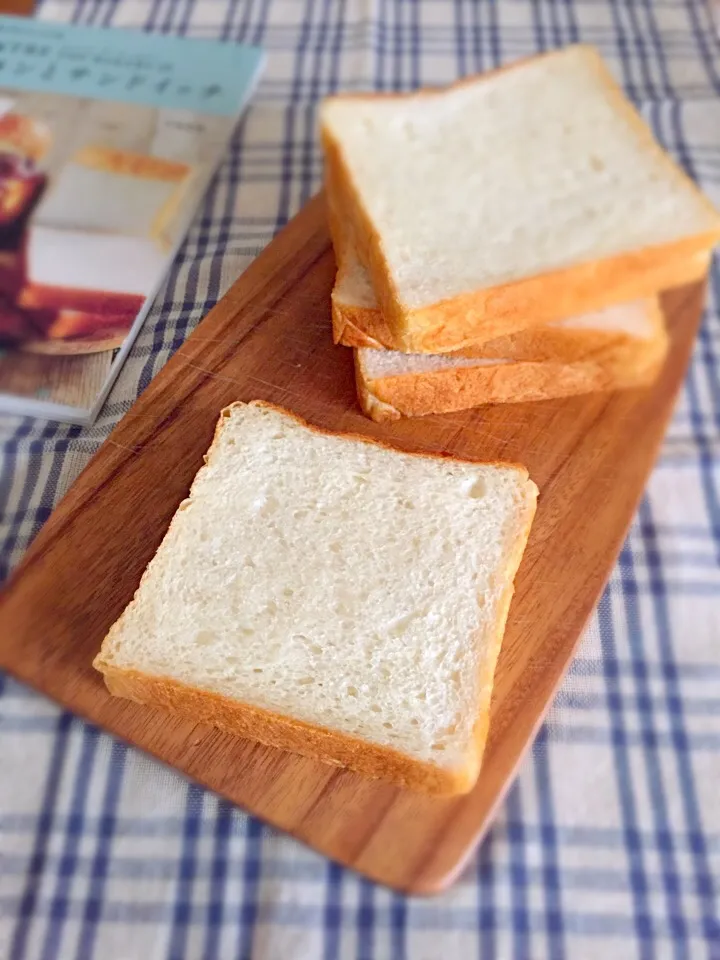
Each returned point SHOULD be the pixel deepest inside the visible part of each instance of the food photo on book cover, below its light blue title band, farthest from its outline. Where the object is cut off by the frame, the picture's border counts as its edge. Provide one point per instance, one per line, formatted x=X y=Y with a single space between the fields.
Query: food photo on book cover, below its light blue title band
x=95 y=196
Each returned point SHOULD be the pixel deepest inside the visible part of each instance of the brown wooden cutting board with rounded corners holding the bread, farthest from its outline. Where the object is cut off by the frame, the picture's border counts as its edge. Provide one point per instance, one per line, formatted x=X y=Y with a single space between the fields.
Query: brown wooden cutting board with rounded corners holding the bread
x=270 y=339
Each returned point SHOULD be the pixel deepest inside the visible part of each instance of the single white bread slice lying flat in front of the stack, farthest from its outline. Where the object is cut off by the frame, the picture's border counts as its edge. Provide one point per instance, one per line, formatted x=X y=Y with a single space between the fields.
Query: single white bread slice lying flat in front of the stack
x=333 y=596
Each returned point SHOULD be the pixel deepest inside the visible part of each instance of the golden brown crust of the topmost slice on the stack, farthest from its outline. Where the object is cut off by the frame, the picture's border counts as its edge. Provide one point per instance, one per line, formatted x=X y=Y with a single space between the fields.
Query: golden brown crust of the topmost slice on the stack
x=497 y=311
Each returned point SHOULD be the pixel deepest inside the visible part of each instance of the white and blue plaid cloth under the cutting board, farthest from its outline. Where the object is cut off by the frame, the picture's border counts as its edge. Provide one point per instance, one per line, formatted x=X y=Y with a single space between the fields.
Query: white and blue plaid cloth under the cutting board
x=609 y=842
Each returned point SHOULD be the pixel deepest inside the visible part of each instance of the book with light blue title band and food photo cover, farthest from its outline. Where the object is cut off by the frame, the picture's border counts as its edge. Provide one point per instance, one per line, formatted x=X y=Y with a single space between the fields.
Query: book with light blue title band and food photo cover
x=108 y=140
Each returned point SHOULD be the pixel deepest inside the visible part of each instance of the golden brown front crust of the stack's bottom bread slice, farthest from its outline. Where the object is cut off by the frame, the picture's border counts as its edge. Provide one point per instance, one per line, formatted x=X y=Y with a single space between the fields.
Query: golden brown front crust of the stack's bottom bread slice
x=460 y=388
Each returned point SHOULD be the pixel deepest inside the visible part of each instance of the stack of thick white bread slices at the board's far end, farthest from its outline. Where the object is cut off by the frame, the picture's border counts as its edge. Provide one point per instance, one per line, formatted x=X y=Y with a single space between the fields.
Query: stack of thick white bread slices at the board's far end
x=505 y=239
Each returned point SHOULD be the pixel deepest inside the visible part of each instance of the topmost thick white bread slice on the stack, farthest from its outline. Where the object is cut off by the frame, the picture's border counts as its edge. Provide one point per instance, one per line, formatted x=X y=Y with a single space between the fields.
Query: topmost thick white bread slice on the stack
x=530 y=194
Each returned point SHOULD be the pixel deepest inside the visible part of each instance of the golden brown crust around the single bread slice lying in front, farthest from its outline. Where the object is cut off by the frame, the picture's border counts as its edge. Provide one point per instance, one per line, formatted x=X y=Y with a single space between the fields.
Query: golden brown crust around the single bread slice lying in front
x=285 y=733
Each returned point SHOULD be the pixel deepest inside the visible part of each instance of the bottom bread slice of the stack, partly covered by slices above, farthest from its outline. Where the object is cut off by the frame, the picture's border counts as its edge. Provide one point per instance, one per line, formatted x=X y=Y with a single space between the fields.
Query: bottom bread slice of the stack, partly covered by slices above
x=393 y=385
